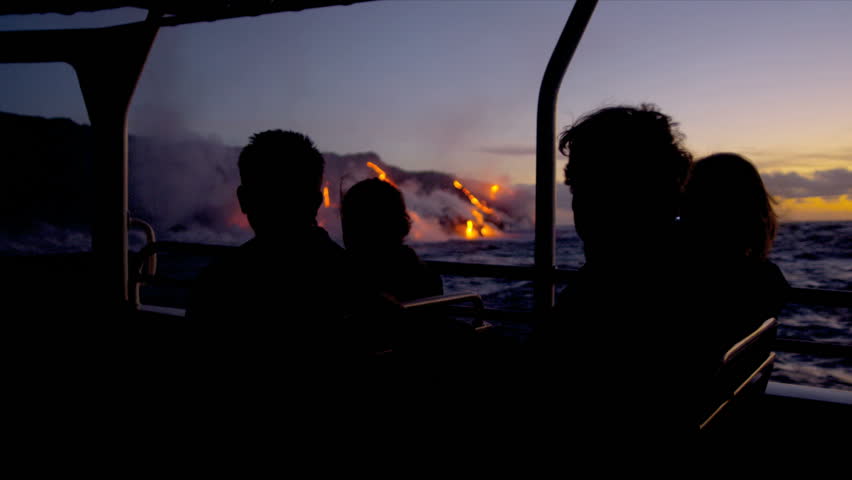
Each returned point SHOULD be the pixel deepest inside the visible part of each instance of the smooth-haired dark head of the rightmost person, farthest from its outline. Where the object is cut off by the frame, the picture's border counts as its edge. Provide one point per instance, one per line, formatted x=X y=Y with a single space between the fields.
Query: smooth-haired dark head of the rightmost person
x=728 y=208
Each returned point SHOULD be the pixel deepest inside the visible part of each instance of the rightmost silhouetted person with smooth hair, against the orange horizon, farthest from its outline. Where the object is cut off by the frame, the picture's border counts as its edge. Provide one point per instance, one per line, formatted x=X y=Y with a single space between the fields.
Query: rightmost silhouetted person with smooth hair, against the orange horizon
x=730 y=224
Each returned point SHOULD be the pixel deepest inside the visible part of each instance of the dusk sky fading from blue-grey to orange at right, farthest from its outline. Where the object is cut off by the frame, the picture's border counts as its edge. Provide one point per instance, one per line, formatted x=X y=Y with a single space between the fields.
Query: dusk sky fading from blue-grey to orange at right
x=452 y=86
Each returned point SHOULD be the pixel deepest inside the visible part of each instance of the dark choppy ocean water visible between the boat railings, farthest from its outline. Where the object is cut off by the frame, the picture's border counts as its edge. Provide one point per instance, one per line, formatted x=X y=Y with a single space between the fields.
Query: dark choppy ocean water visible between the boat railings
x=810 y=254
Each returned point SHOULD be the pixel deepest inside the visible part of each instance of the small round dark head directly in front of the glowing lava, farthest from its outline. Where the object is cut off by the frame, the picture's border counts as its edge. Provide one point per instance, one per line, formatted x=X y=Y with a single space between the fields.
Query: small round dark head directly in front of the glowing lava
x=373 y=215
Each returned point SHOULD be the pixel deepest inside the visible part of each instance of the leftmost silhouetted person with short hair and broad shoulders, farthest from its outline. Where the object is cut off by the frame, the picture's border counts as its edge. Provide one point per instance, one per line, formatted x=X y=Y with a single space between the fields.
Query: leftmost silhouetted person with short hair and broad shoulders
x=289 y=281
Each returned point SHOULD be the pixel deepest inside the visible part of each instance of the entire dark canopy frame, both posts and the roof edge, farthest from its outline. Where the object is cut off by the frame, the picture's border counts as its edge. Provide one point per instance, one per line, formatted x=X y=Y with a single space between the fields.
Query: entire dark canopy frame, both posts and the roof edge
x=108 y=80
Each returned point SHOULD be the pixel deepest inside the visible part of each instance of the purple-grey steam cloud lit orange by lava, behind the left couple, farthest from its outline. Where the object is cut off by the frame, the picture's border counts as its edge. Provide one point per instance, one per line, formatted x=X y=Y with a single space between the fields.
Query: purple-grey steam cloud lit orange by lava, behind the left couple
x=186 y=188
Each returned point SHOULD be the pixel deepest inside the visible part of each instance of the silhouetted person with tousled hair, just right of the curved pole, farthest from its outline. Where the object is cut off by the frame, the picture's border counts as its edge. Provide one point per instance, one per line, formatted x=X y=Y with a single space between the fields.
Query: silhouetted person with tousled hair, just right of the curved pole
x=614 y=341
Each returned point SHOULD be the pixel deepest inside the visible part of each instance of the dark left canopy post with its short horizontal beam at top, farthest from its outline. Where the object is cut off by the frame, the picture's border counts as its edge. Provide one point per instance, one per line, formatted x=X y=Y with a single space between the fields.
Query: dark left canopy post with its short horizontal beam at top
x=107 y=81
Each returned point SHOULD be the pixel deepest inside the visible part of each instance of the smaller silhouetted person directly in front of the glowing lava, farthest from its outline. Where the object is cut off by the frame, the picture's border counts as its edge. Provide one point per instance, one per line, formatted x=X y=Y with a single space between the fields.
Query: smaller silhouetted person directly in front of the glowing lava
x=375 y=225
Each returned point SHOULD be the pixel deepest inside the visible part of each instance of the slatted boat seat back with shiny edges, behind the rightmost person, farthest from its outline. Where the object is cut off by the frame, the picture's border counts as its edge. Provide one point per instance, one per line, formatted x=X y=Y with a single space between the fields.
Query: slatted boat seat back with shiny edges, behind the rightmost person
x=740 y=379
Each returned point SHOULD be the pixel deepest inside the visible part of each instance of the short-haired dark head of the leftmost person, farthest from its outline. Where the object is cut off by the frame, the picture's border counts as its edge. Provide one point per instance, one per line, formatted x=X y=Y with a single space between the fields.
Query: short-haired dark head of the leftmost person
x=281 y=177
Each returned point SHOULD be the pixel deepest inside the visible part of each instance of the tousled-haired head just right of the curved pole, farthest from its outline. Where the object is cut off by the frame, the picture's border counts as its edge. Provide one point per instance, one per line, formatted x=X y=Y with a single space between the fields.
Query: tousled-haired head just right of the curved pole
x=626 y=168
